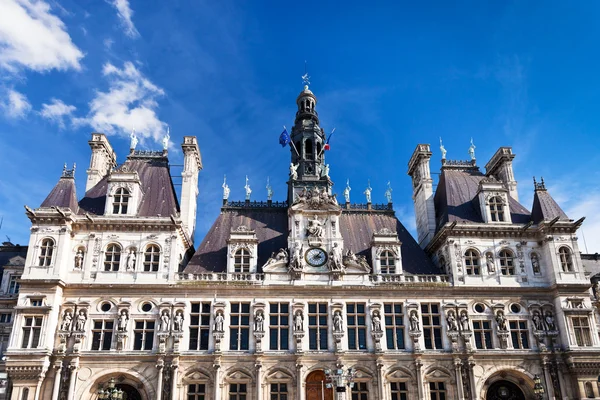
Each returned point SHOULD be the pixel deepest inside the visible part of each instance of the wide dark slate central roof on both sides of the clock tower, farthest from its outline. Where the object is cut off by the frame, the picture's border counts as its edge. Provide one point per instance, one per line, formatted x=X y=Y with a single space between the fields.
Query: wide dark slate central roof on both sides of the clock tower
x=271 y=227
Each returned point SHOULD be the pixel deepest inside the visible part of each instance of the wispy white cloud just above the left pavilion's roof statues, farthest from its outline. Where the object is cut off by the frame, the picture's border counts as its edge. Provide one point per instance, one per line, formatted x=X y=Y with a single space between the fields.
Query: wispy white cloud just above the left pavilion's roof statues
x=130 y=102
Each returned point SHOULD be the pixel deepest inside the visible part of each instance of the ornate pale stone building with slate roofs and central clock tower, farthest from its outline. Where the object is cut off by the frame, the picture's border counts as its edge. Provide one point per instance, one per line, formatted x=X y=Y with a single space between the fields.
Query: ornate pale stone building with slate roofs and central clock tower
x=491 y=302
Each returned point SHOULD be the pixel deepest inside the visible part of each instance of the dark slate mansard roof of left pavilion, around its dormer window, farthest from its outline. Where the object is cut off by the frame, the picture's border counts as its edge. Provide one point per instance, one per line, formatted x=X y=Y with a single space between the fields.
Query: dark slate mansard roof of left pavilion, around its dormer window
x=158 y=192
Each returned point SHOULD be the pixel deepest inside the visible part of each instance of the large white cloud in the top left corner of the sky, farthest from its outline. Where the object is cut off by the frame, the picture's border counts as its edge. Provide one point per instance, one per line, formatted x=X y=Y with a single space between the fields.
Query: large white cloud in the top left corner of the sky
x=32 y=37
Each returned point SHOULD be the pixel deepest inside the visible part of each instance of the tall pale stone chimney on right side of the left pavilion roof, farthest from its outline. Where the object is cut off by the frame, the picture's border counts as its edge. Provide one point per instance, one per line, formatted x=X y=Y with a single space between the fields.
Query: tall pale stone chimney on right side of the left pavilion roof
x=192 y=164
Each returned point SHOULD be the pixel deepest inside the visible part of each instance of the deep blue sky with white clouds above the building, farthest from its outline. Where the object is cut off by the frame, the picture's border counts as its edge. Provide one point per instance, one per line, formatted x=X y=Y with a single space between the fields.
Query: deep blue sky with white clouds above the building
x=387 y=76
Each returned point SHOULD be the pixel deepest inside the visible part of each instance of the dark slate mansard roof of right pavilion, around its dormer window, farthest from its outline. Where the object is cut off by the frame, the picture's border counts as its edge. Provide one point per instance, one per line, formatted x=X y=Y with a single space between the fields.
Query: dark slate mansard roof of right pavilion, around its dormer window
x=455 y=198
